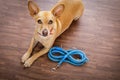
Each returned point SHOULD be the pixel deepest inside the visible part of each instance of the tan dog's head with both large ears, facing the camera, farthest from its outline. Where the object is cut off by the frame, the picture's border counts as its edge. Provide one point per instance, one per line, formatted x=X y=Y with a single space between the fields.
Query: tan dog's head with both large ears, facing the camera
x=46 y=21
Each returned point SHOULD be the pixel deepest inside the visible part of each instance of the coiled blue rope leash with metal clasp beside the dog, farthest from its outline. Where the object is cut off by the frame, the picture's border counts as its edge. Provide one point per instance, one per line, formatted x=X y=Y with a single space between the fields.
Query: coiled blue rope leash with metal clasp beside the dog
x=67 y=56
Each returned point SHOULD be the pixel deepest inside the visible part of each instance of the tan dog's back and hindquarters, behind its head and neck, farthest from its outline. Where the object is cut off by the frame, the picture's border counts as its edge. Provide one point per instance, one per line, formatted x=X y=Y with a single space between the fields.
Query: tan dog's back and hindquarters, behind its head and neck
x=73 y=9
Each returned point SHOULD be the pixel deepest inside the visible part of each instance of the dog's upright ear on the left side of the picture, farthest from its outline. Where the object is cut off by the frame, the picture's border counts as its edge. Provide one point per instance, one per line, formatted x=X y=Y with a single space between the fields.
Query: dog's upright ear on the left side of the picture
x=33 y=8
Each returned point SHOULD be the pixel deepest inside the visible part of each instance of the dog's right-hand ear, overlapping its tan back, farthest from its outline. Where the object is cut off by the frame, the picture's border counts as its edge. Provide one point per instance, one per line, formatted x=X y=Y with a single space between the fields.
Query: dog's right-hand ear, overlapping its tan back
x=58 y=10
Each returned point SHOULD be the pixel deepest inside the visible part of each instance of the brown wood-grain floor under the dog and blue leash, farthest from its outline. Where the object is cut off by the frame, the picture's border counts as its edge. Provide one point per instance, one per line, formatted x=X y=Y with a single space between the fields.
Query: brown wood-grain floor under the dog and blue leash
x=97 y=33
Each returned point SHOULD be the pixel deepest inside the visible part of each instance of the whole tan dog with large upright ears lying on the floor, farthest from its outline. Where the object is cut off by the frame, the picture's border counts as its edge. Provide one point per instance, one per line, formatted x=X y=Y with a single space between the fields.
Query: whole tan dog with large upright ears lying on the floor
x=50 y=24
